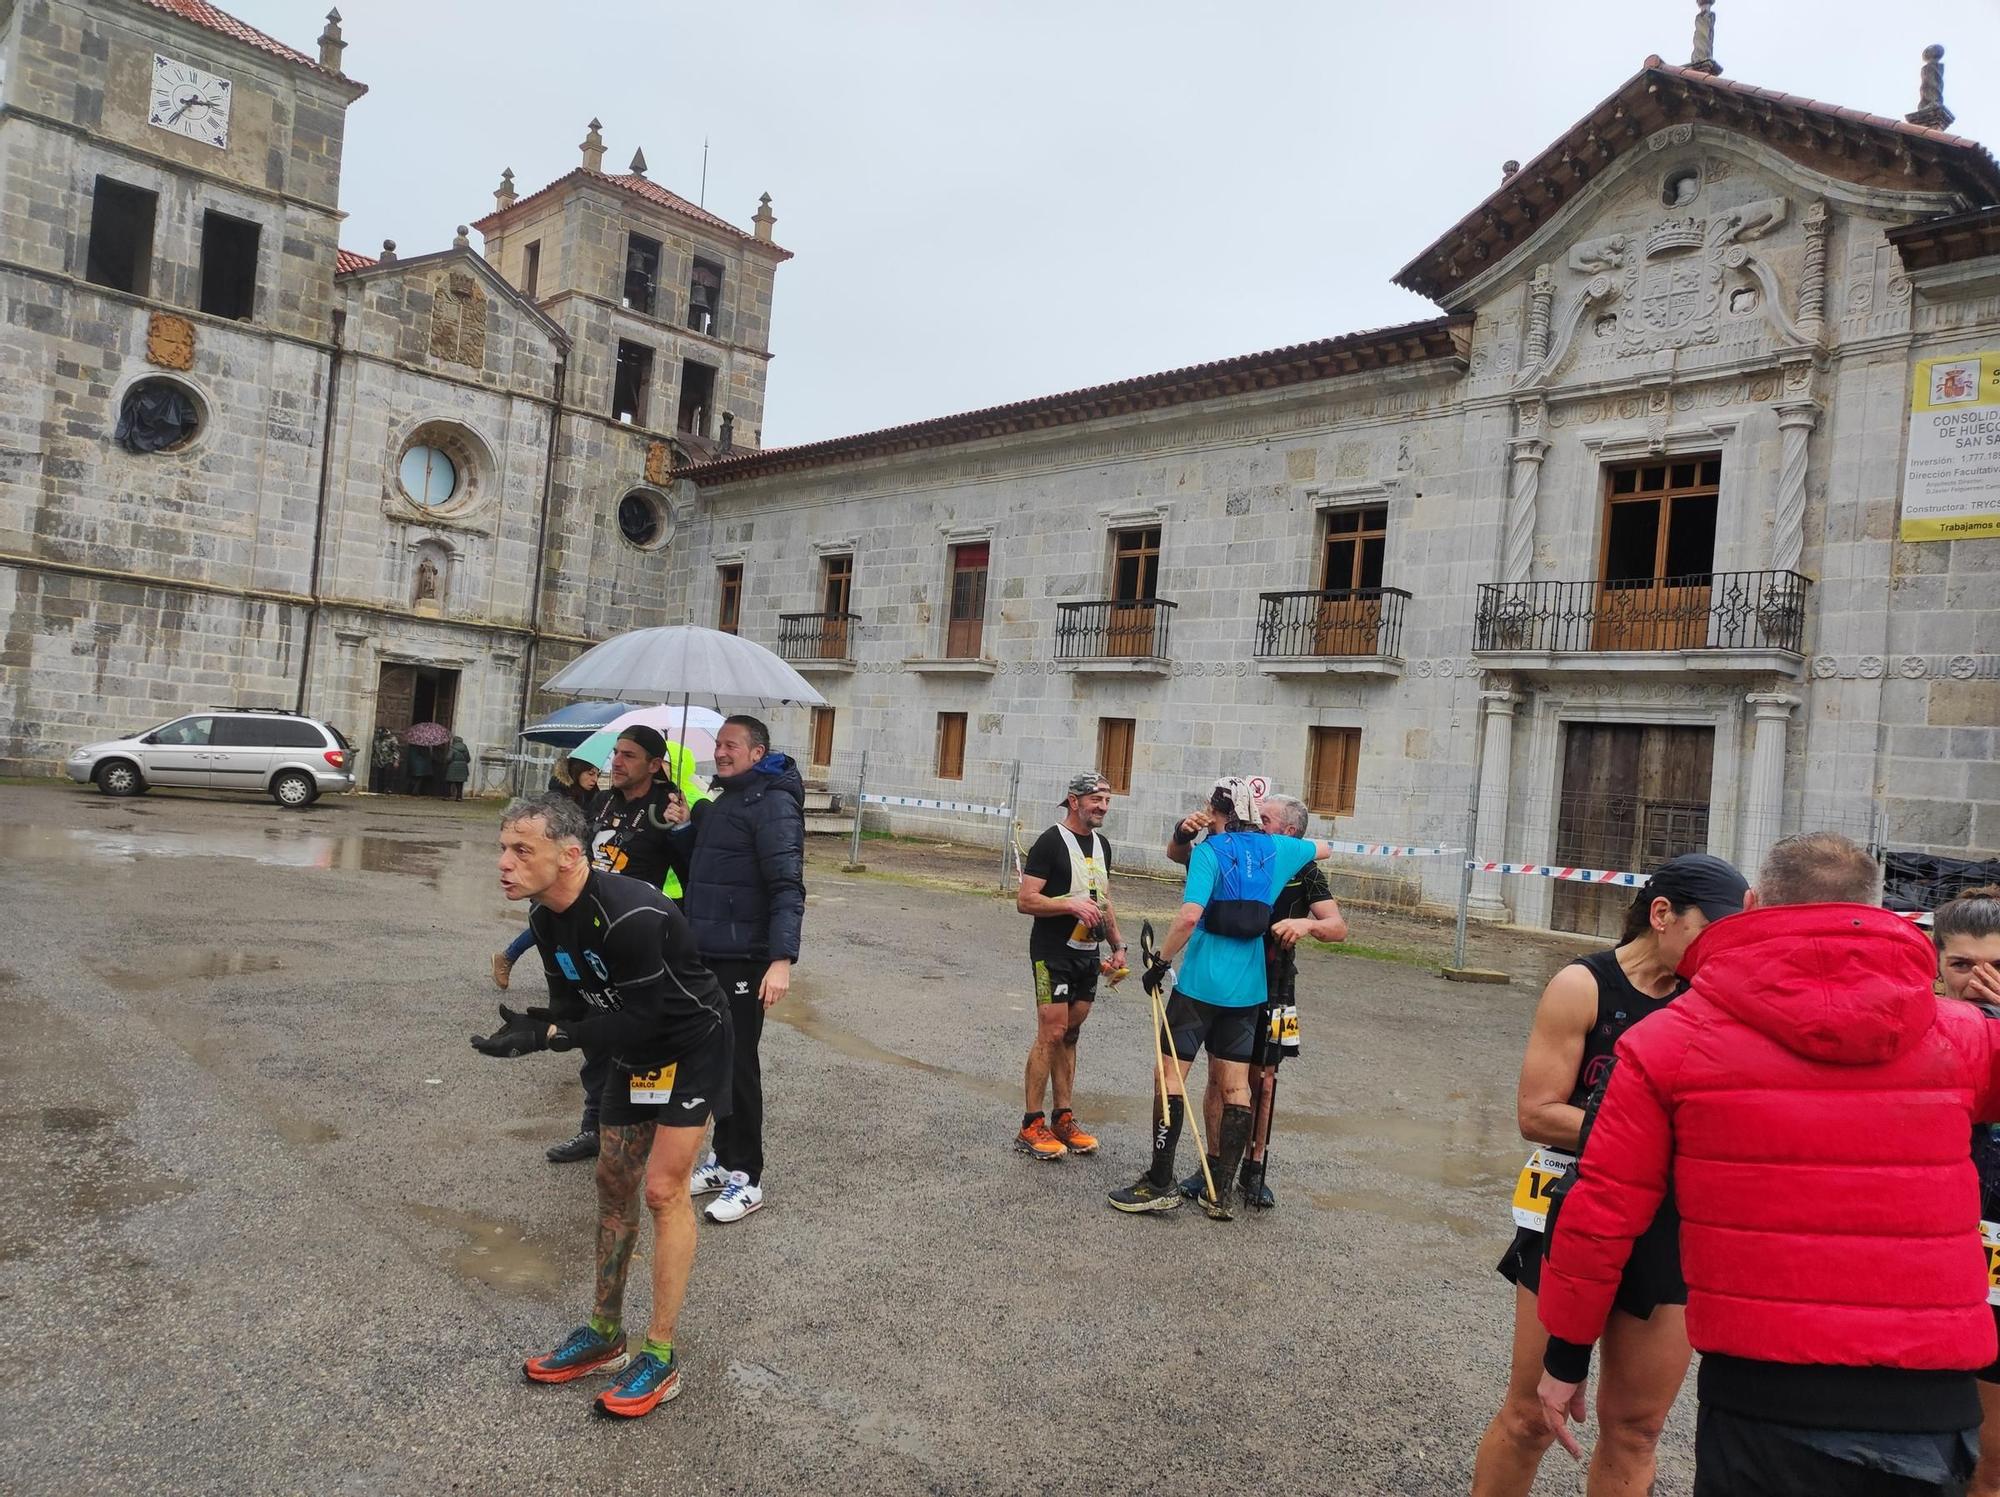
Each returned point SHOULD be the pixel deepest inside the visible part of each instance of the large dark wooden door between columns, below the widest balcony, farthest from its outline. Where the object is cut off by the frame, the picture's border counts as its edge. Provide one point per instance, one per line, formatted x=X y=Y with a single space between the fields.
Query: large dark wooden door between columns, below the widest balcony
x=1633 y=796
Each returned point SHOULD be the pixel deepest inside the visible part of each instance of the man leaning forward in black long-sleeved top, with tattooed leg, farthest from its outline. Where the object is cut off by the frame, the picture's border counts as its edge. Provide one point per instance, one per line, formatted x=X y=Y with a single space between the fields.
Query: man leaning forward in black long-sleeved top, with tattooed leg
x=629 y=990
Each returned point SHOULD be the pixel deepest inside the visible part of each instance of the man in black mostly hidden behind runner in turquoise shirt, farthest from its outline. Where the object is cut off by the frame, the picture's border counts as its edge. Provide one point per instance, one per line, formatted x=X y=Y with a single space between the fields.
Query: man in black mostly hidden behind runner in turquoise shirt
x=1305 y=910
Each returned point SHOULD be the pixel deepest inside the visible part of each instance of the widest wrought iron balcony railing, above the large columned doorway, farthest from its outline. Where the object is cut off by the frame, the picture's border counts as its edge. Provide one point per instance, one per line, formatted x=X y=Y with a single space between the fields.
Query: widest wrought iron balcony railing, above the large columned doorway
x=1713 y=611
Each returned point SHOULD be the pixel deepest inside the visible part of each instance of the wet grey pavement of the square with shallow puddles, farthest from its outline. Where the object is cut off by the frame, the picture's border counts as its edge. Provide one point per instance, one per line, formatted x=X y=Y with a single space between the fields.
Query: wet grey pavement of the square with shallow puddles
x=267 y=1222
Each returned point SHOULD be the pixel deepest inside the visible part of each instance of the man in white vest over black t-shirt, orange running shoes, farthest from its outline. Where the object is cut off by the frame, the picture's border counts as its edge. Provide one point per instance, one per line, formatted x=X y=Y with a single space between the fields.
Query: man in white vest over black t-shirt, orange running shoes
x=1067 y=888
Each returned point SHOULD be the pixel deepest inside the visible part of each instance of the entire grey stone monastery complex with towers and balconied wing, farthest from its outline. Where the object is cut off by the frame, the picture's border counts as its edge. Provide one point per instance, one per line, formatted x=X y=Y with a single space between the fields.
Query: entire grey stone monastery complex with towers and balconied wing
x=1611 y=559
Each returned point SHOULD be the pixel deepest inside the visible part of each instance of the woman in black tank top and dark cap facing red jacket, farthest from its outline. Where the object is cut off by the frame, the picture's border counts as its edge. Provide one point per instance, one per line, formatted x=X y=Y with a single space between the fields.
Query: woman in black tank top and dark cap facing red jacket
x=1569 y=1062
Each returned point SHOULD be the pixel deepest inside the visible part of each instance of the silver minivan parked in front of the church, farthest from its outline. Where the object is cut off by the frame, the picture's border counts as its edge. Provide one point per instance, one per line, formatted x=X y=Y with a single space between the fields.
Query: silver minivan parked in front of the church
x=289 y=758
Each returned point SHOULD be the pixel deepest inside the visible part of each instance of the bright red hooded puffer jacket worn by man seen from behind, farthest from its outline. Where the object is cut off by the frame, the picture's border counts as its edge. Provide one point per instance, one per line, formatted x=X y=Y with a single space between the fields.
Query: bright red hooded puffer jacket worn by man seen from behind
x=1813 y=1100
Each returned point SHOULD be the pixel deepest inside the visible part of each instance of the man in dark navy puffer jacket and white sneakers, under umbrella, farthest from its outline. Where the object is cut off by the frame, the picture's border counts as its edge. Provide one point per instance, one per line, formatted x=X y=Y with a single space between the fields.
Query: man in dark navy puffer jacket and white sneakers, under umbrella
x=745 y=902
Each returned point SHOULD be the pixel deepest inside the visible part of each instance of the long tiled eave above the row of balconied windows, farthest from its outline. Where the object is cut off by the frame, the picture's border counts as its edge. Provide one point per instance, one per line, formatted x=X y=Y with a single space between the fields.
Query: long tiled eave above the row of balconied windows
x=1411 y=343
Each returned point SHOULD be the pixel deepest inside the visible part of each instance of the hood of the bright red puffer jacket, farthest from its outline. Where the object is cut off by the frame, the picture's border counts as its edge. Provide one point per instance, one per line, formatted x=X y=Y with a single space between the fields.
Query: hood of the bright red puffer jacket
x=1843 y=984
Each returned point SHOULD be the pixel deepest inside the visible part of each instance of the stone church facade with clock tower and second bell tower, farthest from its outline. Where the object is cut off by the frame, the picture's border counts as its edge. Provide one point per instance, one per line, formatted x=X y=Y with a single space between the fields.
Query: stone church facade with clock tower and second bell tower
x=245 y=467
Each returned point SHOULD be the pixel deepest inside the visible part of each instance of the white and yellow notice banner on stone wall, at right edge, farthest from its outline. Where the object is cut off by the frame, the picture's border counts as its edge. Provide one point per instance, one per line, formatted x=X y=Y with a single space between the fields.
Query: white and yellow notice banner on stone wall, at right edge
x=1951 y=481
